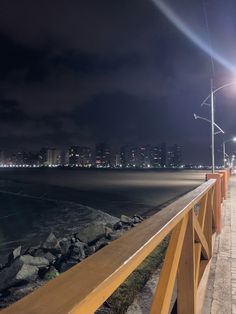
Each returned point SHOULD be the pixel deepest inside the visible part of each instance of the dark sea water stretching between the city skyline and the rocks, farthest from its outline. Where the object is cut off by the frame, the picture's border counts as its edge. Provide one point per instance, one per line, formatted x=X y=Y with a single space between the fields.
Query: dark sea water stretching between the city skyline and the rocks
x=35 y=202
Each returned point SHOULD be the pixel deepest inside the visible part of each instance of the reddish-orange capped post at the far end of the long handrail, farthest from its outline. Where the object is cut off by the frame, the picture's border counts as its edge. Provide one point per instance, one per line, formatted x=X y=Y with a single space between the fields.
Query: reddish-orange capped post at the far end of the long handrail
x=217 y=199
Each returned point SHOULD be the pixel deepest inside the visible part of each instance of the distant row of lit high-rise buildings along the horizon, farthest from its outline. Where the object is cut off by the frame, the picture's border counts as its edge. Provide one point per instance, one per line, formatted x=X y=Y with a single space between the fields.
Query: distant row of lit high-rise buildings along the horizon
x=100 y=156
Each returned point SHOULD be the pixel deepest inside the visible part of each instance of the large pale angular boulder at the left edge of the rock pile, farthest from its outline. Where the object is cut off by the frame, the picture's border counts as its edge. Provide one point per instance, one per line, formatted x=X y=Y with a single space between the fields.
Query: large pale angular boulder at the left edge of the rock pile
x=17 y=273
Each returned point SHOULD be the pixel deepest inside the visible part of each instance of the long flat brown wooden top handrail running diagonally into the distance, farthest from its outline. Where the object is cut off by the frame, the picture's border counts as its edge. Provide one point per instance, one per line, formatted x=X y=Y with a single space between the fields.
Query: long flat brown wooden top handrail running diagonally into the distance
x=84 y=287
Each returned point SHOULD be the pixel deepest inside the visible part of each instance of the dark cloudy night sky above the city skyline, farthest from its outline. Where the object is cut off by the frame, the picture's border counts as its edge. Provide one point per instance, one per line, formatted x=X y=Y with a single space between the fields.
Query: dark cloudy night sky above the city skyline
x=82 y=72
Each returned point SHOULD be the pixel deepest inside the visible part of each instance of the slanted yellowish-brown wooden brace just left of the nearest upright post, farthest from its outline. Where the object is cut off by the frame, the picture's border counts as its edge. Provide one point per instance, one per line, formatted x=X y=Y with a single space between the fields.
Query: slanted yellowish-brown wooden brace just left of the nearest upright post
x=164 y=291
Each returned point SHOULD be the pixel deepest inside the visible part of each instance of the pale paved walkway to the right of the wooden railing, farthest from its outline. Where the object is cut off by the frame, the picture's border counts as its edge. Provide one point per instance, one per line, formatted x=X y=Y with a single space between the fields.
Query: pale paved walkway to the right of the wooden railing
x=221 y=291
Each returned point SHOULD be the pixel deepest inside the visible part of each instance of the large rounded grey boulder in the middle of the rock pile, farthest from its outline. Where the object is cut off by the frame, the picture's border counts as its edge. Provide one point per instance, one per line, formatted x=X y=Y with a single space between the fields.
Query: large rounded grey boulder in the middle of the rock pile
x=91 y=232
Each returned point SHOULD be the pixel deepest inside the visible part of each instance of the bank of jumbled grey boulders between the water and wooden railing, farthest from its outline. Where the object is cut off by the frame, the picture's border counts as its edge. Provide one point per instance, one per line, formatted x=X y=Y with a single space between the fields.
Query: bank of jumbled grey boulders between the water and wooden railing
x=30 y=268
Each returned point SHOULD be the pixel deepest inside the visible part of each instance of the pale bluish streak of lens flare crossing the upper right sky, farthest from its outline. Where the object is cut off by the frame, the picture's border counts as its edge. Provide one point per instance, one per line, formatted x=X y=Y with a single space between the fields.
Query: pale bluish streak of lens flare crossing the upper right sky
x=186 y=30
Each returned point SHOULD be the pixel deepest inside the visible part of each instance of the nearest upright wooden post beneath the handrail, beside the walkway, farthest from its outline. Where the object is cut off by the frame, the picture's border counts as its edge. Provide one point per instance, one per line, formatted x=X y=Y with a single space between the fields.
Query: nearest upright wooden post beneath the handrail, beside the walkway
x=186 y=286
